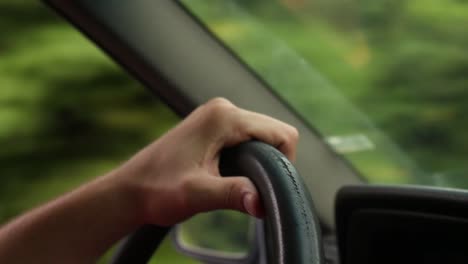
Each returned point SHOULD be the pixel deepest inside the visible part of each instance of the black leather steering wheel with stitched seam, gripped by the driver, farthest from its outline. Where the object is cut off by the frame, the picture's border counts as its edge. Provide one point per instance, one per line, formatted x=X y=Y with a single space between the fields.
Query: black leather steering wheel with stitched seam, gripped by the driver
x=292 y=231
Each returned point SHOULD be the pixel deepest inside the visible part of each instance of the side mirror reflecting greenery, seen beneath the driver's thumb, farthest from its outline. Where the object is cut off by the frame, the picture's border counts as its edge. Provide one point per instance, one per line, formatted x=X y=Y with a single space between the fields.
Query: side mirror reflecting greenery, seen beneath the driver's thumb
x=223 y=234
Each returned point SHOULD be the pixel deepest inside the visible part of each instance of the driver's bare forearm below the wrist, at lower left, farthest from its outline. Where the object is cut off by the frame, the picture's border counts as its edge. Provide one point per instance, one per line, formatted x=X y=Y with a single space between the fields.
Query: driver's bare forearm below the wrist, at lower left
x=75 y=228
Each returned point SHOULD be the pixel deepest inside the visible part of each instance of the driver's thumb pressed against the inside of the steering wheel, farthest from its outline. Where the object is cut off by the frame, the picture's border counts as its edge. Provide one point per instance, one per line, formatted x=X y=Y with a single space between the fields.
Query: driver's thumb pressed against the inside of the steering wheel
x=237 y=193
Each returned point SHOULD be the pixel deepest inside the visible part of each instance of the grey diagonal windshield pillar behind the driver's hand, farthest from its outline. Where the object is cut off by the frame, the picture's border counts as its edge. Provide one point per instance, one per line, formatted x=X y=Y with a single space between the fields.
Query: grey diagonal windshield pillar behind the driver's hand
x=186 y=76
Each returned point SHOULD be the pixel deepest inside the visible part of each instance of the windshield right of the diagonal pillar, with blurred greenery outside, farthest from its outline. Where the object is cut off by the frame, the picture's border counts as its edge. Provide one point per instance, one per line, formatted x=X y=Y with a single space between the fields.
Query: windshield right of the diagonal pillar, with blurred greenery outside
x=384 y=82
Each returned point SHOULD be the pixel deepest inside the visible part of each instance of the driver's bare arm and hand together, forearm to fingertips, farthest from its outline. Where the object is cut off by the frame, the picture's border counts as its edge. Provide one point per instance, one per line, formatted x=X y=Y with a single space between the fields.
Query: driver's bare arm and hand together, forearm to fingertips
x=167 y=182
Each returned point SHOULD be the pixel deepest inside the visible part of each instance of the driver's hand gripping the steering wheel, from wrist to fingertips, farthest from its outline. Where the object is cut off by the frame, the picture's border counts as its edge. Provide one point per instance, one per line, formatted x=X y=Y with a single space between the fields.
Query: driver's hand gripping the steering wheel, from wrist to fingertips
x=177 y=176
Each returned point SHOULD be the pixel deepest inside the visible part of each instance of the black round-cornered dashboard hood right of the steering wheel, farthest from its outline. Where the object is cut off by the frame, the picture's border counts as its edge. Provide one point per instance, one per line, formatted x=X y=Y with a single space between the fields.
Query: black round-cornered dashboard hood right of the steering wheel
x=404 y=225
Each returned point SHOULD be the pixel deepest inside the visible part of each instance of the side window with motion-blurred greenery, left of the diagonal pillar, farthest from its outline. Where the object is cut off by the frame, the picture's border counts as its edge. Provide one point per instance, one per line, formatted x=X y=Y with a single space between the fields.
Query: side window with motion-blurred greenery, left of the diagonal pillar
x=67 y=112
